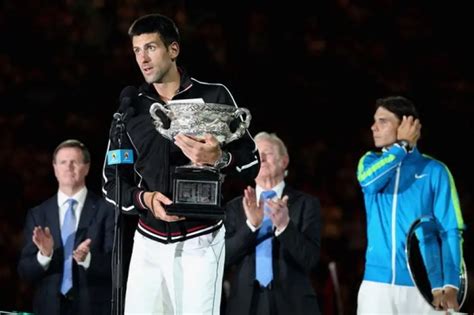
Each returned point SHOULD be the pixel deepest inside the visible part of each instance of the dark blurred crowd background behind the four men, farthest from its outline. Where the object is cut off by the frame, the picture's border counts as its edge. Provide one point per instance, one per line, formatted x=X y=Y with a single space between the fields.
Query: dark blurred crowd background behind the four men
x=309 y=72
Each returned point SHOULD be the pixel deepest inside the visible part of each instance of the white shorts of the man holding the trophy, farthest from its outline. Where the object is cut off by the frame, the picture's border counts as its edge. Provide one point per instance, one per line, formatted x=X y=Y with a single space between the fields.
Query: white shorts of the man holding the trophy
x=178 y=278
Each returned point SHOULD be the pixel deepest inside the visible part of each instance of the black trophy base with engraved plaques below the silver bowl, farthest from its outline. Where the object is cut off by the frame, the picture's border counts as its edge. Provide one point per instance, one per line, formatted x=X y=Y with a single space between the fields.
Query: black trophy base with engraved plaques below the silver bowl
x=196 y=193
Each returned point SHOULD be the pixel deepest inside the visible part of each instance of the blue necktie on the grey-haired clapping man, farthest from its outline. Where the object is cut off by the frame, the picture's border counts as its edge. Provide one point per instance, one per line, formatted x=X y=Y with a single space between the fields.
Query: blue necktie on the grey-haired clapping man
x=263 y=252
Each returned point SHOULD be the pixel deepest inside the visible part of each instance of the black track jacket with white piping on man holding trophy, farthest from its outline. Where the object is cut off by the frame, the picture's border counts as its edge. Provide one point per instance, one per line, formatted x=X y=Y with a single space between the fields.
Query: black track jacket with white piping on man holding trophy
x=156 y=157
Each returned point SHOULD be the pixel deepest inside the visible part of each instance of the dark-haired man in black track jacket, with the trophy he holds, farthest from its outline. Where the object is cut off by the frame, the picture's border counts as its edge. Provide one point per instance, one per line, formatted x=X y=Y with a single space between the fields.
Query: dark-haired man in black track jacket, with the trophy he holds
x=181 y=137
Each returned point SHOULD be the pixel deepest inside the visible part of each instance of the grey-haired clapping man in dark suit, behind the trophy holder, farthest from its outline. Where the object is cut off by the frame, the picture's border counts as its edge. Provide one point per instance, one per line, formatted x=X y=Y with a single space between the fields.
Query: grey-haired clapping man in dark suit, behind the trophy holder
x=293 y=238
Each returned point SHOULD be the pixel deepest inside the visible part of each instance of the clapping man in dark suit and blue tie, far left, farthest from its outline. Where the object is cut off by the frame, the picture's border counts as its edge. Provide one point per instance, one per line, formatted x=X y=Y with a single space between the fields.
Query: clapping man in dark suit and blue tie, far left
x=75 y=278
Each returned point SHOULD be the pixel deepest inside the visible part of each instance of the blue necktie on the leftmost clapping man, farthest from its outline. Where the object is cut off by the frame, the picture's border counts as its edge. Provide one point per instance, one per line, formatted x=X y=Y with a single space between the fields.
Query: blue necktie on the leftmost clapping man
x=68 y=231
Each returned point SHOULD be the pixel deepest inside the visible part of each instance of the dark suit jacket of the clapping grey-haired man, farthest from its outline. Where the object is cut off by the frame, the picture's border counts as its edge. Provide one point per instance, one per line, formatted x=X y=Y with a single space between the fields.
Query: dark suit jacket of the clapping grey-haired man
x=296 y=253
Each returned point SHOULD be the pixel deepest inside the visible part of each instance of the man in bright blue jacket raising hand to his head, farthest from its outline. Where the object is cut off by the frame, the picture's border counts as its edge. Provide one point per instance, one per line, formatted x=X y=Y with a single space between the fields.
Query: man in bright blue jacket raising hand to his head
x=400 y=185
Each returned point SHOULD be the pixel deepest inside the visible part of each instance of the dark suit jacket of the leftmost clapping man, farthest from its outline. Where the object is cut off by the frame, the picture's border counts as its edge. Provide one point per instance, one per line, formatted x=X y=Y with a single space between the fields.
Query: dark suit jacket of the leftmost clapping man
x=92 y=288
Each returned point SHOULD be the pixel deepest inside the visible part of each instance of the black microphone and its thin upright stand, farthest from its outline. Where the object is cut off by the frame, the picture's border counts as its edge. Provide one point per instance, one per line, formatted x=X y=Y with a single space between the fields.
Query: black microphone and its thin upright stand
x=117 y=252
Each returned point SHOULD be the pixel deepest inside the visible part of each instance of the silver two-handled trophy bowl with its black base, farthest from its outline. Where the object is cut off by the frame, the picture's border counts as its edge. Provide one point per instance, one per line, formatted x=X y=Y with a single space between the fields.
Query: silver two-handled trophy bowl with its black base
x=197 y=189
